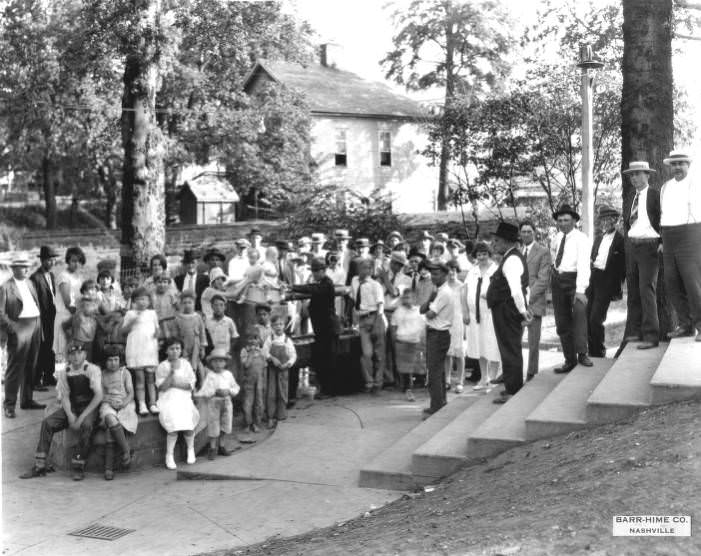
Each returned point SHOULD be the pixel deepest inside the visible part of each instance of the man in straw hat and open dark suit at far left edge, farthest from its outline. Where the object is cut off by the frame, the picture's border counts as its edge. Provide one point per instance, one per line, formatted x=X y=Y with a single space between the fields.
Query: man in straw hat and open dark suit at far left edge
x=20 y=317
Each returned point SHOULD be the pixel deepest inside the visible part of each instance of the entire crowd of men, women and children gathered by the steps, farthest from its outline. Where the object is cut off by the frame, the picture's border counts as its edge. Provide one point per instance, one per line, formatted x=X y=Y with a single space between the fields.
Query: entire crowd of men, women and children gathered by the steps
x=180 y=347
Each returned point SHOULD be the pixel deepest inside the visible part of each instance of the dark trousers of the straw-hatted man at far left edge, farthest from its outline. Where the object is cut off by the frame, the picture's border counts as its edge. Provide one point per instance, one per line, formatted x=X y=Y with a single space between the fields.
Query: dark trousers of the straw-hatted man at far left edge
x=22 y=351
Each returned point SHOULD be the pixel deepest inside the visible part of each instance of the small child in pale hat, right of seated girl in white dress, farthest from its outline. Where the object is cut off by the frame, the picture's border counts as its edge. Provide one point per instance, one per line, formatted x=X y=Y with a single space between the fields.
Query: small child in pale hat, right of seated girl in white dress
x=218 y=389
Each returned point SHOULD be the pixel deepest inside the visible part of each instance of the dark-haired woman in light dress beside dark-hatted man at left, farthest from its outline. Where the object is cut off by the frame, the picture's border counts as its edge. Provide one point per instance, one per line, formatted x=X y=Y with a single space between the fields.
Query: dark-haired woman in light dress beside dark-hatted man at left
x=68 y=293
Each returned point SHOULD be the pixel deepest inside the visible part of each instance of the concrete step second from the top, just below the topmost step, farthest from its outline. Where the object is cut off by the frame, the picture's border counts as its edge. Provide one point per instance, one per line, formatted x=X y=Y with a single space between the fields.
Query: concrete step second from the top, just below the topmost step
x=626 y=387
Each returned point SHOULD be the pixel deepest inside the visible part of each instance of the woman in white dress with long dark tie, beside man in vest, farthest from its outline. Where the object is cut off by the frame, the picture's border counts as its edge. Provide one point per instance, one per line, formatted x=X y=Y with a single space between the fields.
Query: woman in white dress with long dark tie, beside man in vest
x=481 y=339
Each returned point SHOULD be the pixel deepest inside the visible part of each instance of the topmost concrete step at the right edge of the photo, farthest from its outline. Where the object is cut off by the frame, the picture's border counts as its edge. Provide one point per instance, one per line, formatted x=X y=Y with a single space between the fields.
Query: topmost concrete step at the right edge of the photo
x=678 y=376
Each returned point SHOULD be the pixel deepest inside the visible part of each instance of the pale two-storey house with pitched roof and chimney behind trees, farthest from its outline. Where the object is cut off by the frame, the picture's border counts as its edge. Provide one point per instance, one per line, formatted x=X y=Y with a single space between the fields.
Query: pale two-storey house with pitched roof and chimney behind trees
x=364 y=136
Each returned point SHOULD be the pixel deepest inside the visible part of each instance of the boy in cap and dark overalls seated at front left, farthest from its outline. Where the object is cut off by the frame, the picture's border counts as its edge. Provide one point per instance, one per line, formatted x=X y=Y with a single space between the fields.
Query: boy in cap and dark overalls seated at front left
x=79 y=391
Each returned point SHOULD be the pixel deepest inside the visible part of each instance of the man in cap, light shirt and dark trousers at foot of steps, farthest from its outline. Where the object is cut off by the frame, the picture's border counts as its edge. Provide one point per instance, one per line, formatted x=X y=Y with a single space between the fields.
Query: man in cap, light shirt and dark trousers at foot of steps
x=439 y=311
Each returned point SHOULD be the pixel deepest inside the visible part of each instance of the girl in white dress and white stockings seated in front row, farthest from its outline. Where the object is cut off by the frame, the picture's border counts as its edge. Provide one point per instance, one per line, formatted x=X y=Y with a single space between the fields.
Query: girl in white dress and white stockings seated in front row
x=176 y=382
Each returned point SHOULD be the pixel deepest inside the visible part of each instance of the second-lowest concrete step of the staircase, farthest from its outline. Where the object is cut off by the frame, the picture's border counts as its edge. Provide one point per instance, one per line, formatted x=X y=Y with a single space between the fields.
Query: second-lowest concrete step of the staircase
x=447 y=450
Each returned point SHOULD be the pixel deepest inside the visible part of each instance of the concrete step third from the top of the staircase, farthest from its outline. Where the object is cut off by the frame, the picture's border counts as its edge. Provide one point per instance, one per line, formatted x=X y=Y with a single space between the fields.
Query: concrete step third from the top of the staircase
x=564 y=410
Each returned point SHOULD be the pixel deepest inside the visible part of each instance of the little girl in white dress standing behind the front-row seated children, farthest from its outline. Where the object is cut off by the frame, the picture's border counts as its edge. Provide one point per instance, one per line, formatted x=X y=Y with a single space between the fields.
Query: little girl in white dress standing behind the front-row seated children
x=141 y=326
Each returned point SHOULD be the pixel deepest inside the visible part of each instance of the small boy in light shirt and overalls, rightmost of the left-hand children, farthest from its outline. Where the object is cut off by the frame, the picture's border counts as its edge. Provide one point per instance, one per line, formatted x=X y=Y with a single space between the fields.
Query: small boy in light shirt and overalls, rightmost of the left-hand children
x=281 y=355
